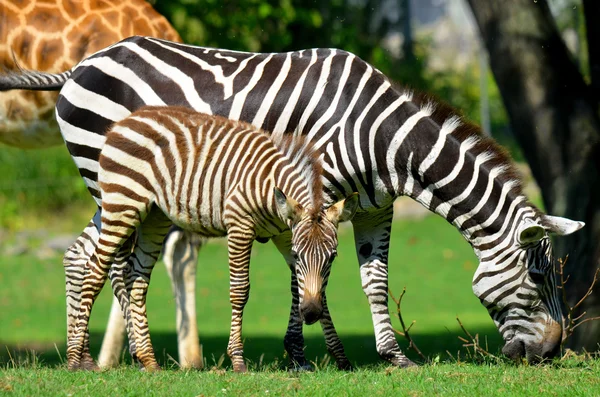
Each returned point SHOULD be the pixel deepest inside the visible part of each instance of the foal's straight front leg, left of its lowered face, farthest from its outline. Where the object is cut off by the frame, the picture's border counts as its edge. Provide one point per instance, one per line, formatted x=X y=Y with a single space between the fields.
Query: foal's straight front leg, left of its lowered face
x=239 y=245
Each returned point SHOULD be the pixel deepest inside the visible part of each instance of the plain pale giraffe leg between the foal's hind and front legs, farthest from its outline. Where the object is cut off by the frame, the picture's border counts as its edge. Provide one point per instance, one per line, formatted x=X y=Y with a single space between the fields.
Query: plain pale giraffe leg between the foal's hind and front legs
x=180 y=255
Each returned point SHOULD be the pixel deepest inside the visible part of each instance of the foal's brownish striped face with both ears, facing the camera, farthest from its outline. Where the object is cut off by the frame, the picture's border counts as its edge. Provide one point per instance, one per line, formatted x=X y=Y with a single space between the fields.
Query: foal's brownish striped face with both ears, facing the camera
x=314 y=247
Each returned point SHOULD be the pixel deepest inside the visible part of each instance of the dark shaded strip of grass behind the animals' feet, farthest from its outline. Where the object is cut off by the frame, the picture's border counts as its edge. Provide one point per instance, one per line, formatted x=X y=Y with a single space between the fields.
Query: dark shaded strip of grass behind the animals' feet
x=360 y=349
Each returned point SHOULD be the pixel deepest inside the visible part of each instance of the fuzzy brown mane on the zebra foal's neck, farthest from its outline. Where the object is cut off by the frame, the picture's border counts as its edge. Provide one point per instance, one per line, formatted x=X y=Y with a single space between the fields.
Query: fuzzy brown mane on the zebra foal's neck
x=305 y=158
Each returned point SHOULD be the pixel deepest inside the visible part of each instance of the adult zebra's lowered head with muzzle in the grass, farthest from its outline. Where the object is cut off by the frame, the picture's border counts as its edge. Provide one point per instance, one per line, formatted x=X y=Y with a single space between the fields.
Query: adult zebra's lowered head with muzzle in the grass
x=518 y=286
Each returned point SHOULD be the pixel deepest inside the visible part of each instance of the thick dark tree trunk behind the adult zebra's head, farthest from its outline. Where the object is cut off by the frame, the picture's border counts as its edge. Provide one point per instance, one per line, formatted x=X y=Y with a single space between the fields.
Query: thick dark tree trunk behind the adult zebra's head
x=554 y=115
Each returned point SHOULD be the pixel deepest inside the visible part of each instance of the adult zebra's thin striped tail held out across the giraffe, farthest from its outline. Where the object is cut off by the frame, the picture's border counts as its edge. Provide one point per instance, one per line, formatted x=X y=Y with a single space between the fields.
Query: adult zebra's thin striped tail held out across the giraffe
x=32 y=80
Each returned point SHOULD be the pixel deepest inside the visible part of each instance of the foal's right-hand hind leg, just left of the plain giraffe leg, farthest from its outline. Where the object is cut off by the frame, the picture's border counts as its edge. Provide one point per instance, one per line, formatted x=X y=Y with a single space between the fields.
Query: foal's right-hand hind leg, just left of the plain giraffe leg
x=151 y=235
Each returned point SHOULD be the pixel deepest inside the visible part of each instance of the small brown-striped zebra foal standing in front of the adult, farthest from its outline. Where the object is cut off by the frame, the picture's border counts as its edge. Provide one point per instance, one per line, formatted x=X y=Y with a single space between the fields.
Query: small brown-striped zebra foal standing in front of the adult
x=171 y=165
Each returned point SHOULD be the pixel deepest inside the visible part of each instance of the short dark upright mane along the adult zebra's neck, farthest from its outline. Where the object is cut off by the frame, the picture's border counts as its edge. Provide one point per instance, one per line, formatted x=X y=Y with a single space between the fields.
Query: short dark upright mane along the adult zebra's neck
x=441 y=113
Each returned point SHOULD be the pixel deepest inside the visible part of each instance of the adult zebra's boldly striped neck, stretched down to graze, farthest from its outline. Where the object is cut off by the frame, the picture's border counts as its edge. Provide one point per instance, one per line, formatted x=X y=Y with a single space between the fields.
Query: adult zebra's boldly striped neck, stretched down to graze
x=455 y=172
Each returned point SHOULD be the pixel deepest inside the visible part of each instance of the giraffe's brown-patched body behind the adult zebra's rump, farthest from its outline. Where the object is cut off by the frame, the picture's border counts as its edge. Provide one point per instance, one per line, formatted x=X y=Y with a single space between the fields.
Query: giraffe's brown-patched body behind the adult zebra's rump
x=54 y=35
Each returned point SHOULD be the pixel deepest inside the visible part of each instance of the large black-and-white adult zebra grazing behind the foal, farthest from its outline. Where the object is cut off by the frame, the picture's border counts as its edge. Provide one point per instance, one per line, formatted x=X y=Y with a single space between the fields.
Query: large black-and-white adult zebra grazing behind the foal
x=377 y=140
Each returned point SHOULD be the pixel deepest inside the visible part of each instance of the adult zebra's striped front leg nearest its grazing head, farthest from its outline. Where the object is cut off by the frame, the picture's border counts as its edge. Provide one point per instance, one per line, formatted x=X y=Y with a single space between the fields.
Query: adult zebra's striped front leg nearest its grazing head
x=372 y=239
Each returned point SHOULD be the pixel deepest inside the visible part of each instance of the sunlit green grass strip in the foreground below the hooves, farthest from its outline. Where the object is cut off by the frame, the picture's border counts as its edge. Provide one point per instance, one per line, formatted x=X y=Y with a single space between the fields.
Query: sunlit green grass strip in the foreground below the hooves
x=572 y=378
